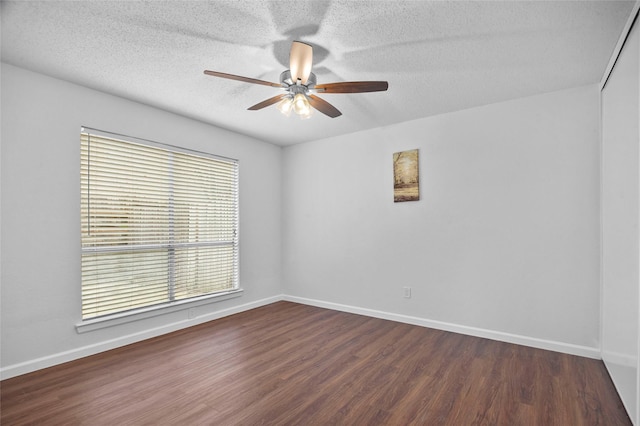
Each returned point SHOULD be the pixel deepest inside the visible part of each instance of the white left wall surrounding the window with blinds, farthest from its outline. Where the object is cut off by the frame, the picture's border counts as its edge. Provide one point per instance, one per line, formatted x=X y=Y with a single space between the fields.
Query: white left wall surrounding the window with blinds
x=40 y=305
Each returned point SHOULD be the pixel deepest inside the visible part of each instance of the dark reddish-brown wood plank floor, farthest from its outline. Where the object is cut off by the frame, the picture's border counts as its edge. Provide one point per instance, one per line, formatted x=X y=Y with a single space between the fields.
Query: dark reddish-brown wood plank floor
x=291 y=364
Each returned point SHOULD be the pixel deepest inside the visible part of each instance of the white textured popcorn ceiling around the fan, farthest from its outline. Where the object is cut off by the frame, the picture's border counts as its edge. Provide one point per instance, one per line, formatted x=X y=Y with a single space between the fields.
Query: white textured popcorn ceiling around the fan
x=437 y=56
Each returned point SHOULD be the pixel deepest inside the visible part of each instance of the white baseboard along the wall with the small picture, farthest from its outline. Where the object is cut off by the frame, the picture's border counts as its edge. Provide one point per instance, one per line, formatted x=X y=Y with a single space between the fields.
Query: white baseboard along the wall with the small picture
x=568 y=348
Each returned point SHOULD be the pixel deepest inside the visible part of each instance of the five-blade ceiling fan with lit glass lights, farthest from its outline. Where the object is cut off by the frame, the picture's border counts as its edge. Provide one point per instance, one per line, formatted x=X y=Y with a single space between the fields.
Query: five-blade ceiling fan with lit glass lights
x=300 y=86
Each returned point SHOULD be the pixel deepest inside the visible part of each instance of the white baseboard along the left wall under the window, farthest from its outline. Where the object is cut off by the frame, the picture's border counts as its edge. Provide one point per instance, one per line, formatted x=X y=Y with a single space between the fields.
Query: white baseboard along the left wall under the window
x=62 y=357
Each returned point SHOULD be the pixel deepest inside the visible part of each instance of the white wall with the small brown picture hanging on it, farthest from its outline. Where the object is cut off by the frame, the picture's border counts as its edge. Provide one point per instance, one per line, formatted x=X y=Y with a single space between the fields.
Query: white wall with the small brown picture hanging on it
x=503 y=243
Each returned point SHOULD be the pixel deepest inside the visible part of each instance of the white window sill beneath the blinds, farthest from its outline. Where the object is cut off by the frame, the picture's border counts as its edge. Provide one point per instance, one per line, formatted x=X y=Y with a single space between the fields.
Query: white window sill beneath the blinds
x=153 y=311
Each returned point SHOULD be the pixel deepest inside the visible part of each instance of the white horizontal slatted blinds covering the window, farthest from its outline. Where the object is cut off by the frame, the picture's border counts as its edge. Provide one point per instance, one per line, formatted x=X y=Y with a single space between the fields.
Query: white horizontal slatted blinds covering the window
x=158 y=225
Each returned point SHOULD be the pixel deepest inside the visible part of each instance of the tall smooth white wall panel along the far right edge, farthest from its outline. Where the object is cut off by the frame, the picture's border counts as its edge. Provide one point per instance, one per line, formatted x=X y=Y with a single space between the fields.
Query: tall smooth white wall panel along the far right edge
x=620 y=231
